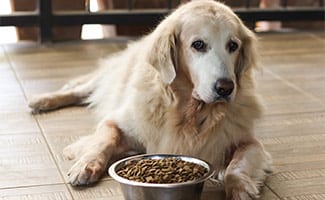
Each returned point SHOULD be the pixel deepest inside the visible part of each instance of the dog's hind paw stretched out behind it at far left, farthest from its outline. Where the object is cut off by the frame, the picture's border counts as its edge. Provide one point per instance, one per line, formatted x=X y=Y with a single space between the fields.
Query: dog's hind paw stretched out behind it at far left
x=42 y=103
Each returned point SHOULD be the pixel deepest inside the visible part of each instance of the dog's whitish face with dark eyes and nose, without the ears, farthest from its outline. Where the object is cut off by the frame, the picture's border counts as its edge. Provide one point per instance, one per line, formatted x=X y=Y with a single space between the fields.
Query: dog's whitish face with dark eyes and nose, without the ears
x=210 y=51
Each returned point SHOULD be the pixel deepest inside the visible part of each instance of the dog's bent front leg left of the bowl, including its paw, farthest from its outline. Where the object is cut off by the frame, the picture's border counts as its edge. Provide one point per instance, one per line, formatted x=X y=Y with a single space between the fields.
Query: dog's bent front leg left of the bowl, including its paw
x=96 y=151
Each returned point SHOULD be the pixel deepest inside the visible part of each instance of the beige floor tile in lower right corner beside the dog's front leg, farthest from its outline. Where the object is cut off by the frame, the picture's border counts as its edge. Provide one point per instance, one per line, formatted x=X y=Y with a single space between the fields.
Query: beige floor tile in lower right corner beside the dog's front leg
x=297 y=145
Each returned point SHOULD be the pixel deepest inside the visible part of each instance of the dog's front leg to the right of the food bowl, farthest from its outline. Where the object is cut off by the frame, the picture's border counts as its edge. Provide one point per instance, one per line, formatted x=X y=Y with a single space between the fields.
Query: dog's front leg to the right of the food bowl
x=247 y=171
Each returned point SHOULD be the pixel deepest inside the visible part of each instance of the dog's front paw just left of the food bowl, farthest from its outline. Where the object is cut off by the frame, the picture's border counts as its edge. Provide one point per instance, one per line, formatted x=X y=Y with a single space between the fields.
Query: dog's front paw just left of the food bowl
x=86 y=172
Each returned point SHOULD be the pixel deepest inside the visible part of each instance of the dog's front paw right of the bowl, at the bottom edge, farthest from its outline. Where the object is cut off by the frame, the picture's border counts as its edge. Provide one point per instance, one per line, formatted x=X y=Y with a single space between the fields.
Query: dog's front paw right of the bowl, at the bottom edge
x=240 y=187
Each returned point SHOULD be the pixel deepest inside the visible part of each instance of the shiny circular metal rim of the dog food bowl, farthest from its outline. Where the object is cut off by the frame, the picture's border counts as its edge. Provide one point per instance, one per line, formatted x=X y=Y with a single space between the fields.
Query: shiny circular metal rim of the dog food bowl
x=115 y=176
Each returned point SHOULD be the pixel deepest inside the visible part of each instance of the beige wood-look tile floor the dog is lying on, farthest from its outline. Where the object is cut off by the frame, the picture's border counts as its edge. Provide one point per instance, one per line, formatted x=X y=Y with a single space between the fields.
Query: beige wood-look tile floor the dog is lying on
x=292 y=130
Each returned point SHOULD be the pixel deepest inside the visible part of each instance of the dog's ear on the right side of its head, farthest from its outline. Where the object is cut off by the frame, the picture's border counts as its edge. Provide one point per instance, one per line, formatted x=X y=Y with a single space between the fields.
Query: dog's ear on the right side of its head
x=248 y=56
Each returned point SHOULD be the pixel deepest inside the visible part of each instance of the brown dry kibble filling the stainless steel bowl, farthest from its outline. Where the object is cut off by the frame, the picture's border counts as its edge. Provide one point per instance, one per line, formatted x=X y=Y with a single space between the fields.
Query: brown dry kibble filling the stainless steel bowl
x=164 y=170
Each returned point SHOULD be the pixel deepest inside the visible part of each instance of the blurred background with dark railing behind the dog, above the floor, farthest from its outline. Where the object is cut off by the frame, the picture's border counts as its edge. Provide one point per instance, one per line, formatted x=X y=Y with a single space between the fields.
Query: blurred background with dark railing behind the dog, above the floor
x=151 y=11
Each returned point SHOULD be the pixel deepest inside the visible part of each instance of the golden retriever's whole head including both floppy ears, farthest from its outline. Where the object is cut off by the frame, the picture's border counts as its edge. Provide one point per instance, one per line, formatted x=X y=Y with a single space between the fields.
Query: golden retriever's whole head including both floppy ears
x=210 y=43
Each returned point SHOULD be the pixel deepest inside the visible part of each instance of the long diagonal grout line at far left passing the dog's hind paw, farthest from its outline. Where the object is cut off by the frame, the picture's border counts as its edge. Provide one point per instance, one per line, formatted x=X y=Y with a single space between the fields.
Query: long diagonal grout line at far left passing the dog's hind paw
x=19 y=81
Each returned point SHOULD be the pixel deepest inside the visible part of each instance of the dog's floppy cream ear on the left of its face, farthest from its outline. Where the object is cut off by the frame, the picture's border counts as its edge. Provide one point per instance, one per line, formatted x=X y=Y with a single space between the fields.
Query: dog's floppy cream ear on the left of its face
x=162 y=55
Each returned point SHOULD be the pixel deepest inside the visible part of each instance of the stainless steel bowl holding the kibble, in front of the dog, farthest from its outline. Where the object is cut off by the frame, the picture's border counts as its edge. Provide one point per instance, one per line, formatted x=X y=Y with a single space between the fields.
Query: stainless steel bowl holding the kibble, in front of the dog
x=132 y=190
